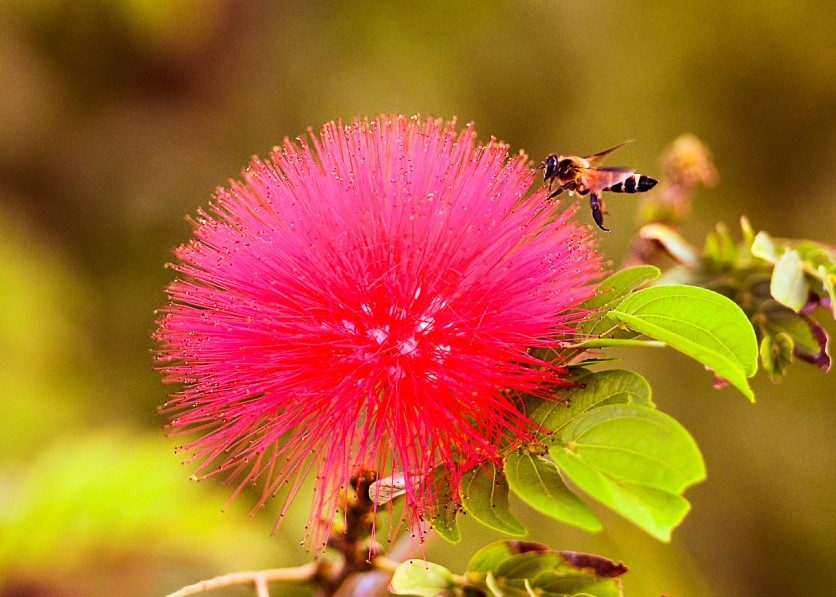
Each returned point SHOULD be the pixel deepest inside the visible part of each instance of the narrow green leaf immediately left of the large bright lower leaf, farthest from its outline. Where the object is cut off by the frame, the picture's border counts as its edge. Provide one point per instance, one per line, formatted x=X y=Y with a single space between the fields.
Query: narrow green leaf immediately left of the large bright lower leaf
x=538 y=483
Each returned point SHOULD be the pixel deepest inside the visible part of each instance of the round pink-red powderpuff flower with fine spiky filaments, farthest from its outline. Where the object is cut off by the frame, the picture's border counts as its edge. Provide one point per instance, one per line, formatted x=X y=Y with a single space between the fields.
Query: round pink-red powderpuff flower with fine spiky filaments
x=369 y=302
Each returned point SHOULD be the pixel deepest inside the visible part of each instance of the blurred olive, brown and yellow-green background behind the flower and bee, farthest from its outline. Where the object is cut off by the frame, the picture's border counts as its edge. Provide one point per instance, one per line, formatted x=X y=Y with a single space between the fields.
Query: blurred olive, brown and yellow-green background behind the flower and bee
x=119 y=118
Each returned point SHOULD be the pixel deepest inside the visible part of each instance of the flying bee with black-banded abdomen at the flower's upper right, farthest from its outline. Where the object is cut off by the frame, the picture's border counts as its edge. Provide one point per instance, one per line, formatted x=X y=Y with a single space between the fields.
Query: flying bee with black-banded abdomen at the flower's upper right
x=577 y=175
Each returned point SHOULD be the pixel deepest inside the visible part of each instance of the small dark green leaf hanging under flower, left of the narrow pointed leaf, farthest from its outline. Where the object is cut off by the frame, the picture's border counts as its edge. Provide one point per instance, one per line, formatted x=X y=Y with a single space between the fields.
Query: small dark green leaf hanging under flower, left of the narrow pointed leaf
x=484 y=492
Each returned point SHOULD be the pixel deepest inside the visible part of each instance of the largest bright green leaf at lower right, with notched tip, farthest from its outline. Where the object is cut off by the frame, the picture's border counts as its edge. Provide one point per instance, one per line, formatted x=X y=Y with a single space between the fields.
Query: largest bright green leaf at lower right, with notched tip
x=635 y=460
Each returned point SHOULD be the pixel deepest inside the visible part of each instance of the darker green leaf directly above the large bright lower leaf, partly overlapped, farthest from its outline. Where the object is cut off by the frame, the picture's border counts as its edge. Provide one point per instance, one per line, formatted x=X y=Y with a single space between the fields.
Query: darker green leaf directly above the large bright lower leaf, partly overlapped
x=615 y=386
